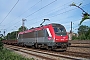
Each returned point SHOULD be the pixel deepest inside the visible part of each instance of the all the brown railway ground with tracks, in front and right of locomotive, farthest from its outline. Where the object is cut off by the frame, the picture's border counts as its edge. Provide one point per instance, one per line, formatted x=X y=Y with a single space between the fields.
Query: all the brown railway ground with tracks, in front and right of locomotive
x=79 y=49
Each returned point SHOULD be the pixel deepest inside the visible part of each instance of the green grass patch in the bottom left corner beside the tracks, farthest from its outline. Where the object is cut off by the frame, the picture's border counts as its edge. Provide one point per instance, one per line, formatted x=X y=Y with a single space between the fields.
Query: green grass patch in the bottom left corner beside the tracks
x=10 y=55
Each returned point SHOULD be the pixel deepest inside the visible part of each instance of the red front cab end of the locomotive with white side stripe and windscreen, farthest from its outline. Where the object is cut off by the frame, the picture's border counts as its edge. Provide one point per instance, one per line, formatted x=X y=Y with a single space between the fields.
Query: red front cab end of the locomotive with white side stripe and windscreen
x=58 y=34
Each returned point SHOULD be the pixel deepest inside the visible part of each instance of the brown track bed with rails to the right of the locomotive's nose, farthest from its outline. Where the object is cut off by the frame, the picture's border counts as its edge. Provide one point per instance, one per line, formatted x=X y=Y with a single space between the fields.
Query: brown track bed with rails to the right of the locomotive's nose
x=79 y=46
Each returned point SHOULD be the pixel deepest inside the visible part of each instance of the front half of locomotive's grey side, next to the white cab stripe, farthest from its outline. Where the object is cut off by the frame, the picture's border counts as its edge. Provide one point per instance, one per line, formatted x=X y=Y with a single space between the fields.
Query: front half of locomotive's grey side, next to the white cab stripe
x=43 y=38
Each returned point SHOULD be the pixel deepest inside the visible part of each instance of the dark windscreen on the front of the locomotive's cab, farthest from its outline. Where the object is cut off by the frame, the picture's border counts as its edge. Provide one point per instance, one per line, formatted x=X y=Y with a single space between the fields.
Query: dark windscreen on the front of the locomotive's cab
x=59 y=30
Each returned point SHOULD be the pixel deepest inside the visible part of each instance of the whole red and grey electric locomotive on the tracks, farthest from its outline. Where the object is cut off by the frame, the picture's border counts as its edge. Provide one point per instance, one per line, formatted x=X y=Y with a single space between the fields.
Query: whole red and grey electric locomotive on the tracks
x=51 y=36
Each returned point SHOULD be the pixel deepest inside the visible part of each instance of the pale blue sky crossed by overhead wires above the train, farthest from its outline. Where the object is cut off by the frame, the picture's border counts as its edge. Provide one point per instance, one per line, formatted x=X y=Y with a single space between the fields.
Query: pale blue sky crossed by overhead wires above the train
x=34 y=11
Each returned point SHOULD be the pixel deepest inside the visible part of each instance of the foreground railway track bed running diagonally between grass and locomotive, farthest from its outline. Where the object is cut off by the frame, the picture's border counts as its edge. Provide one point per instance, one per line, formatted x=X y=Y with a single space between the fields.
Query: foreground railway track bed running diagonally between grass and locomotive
x=50 y=55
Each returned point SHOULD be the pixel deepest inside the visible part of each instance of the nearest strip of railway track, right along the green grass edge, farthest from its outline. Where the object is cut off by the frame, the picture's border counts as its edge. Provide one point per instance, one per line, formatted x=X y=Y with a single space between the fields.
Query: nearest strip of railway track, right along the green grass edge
x=26 y=51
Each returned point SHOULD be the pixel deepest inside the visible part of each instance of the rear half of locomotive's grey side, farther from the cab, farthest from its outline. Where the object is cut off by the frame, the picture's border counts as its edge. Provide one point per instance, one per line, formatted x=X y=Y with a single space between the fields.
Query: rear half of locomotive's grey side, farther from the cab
x=27 y=38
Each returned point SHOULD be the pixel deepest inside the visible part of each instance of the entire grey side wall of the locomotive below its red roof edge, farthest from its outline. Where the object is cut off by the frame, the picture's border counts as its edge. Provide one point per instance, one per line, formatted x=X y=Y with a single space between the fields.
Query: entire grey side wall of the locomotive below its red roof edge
x=40 y=37
